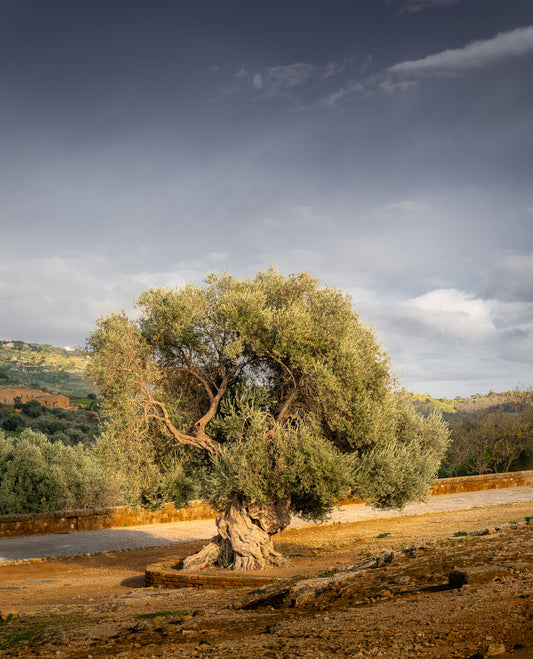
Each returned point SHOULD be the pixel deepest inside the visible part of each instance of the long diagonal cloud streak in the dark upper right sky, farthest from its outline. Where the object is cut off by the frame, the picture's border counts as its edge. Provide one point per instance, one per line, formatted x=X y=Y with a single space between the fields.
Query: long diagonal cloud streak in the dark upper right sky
x=475 y=55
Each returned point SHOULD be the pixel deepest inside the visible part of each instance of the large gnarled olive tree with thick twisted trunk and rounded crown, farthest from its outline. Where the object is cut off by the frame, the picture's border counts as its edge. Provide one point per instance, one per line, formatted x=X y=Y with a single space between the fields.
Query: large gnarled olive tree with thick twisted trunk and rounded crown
x=276 y=381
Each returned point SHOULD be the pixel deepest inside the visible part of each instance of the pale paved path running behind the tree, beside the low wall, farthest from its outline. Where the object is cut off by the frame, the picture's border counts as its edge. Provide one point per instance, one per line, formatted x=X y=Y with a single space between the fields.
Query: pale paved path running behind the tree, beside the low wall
x=159 y=535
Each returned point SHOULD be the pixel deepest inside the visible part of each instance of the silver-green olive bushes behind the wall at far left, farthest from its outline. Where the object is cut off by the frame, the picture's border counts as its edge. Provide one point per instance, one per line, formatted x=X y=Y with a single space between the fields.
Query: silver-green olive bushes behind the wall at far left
x=37 y=475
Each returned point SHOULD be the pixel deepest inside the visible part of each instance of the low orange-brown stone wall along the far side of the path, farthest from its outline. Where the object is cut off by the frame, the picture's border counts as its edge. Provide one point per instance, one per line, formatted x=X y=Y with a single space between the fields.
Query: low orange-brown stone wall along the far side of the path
x=85 y=520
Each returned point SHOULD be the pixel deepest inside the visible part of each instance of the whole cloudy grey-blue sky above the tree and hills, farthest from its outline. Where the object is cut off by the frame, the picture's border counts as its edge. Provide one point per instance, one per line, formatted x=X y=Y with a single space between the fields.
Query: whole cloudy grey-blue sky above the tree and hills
x=384 y=146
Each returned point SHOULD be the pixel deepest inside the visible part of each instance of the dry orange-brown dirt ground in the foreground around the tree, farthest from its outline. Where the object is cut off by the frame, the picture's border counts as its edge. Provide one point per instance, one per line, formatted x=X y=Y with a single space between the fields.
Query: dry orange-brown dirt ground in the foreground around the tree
x=397 y=604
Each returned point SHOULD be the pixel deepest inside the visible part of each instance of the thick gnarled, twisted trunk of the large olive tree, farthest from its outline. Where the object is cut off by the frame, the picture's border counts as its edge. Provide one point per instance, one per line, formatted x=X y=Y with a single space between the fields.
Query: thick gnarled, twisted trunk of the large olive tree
x=244 y=537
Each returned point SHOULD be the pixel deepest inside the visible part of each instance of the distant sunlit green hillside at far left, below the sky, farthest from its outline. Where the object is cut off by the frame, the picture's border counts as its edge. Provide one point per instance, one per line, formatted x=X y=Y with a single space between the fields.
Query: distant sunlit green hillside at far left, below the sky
x=58 y=370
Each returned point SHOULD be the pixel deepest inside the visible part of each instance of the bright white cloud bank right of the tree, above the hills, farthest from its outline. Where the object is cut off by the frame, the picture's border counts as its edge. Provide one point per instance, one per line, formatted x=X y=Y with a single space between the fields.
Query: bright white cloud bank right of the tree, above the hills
x=451 y=342
